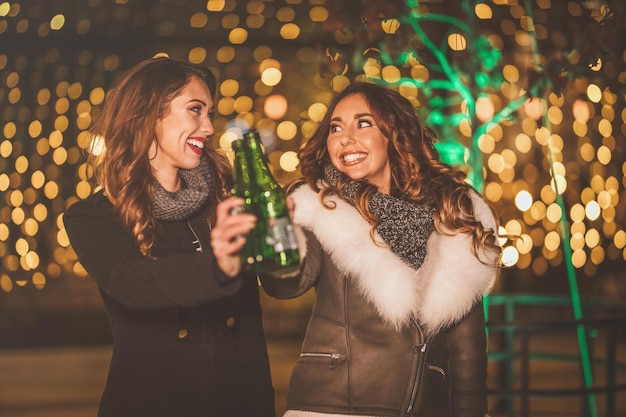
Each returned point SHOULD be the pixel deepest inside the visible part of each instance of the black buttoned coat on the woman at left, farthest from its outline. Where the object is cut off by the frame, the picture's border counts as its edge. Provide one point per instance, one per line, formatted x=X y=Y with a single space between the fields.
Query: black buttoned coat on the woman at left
x=186 y=341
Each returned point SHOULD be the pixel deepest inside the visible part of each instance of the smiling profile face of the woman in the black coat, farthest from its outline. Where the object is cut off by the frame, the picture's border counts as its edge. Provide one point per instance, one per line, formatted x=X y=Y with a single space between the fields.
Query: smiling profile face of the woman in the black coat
x=181 y=134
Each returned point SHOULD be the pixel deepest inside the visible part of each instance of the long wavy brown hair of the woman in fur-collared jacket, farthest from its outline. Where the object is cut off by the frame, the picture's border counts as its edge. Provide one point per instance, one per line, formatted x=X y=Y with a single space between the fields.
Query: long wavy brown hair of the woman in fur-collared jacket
x=417 y=174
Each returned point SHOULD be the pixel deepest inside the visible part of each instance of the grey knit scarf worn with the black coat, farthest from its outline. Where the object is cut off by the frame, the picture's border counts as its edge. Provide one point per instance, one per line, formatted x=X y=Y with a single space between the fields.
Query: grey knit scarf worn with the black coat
x=184 y=203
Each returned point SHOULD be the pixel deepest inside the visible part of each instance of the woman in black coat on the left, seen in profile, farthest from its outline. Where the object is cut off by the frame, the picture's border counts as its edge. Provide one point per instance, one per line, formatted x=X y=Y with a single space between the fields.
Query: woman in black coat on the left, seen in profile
x=161 y=243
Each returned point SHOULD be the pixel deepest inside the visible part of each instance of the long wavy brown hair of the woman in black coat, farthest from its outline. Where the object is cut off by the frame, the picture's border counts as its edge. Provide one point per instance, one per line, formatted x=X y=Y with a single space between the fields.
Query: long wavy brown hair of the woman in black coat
x=127 y=123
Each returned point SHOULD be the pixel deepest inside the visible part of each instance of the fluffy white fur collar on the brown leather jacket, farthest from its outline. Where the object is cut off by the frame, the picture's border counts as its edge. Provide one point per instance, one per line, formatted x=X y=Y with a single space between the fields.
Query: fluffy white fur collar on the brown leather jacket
x=441 y=292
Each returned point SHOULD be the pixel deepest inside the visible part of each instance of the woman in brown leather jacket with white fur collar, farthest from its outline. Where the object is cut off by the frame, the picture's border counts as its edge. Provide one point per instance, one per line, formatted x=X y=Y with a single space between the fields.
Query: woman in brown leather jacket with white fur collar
x=400 y=251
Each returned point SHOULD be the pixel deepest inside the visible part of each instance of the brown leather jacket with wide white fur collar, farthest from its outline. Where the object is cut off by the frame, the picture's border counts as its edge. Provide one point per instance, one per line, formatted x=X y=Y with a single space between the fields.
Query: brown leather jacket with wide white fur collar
x=371 y=347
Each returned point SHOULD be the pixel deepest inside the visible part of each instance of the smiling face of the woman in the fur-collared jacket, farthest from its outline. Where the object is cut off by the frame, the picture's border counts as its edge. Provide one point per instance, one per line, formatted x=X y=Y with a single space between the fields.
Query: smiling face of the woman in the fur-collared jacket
x=355 y=144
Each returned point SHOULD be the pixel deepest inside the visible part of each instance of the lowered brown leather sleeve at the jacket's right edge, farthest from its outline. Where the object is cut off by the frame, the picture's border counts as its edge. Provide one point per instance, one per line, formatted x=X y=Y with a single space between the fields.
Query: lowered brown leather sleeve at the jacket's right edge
x=467 y=365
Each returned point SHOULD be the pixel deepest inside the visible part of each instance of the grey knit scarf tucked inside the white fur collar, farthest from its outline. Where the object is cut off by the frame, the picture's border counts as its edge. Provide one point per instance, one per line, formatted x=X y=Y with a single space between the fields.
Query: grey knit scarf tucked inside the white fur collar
x=403 y=225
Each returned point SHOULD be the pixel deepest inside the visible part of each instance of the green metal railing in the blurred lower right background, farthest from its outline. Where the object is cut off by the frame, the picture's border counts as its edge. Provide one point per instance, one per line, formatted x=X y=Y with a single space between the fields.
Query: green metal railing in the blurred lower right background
x=517 y=326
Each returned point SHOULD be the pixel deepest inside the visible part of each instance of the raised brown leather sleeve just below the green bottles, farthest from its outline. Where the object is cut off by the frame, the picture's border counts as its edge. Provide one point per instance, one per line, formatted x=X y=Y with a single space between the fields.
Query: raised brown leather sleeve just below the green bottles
x=284 y=288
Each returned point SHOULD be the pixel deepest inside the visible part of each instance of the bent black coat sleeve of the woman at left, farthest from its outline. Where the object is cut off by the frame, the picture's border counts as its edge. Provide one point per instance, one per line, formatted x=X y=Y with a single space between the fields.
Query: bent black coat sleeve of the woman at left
x=113 y=260
